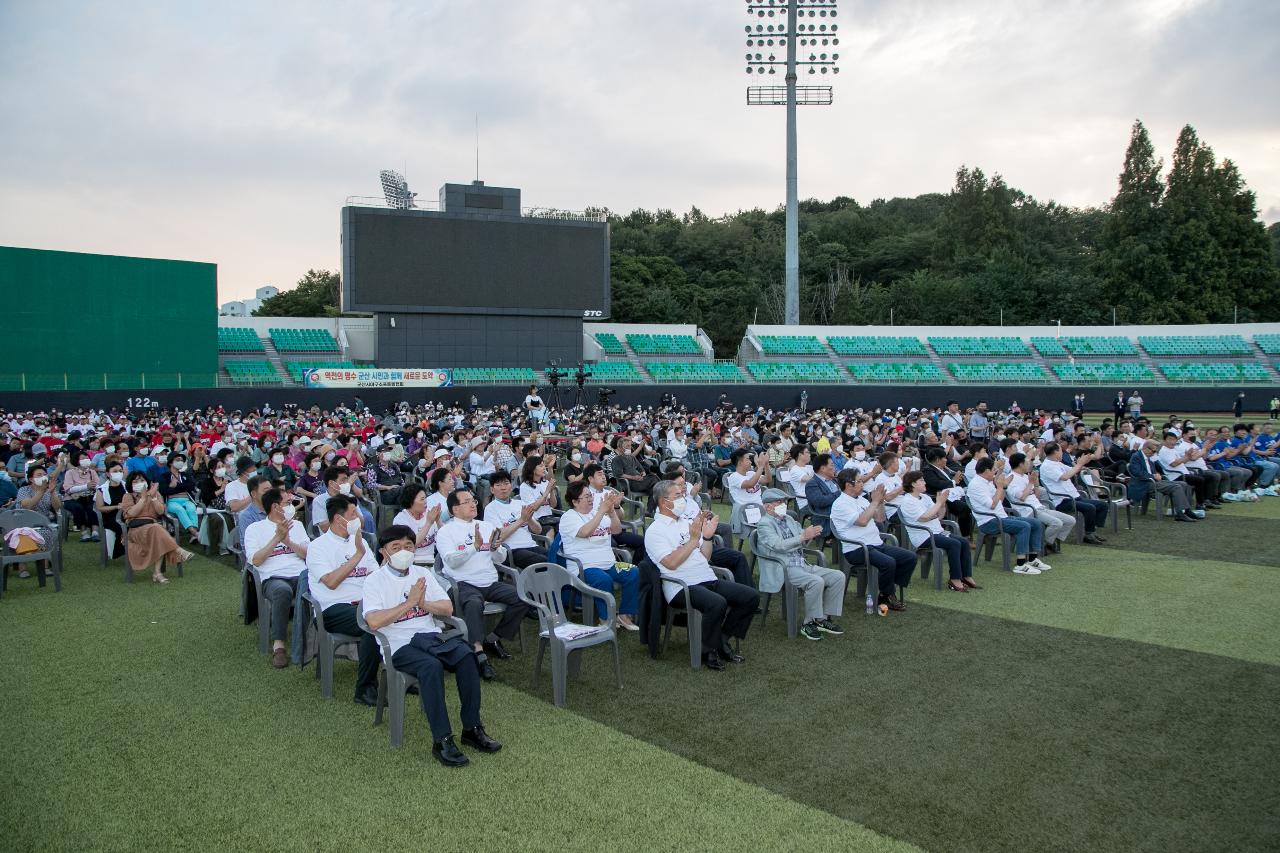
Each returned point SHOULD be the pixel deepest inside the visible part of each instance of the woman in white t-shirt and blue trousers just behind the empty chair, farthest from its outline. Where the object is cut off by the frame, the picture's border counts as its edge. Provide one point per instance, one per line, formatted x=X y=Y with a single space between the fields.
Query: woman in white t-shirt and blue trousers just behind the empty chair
x=586 y=536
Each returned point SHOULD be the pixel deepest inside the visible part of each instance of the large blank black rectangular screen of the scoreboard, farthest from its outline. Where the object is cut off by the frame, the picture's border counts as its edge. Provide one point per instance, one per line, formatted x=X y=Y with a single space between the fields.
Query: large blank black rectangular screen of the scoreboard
x=429 y=262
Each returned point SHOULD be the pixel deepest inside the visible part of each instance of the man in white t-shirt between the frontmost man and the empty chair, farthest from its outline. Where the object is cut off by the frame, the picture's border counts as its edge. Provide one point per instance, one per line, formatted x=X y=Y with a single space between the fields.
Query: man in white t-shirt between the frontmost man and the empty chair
x=469 y=550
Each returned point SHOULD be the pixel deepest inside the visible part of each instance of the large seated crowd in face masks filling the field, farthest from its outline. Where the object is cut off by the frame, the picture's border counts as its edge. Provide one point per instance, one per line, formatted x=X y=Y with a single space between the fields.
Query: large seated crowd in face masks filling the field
x=420 y=516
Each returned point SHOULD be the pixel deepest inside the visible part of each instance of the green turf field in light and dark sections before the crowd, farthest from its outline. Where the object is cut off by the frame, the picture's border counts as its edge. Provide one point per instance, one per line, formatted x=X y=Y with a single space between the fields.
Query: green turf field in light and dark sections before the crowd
x=1126 y=701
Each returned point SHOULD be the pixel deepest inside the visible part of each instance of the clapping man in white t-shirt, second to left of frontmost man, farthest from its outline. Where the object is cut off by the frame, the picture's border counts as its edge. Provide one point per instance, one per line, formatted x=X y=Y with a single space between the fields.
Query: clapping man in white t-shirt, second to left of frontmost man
x=278 y=548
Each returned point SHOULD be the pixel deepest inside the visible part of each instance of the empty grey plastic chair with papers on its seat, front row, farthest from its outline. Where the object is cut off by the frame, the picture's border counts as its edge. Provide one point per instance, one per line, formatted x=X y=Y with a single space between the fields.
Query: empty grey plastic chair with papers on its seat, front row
x=541 y=587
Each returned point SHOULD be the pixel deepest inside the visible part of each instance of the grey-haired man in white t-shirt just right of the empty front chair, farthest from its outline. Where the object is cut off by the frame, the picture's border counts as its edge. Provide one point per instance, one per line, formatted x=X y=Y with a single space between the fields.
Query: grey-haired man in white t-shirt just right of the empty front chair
x=683 y=551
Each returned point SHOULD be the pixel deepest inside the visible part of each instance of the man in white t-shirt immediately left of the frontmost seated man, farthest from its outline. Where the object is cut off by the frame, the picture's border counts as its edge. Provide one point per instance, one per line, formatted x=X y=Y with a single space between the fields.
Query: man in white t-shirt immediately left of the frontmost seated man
x=339 y=563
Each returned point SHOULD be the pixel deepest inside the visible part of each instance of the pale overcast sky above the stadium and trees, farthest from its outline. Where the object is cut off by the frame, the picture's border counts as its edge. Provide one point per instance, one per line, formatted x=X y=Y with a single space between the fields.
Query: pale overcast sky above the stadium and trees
x=232 y=133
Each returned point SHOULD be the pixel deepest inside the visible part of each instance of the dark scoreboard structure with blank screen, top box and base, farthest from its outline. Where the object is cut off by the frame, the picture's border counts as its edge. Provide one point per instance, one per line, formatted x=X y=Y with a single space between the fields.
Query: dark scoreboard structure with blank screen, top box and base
x=478 y=282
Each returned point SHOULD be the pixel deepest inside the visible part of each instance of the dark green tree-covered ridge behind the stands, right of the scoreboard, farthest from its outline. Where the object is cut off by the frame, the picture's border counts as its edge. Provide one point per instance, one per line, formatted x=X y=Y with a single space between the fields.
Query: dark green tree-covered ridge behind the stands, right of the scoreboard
x=1180 y=248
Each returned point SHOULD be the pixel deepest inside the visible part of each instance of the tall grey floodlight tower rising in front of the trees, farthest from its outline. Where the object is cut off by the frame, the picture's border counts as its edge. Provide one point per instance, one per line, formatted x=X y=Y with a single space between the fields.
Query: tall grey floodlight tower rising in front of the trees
x=807 y=25
